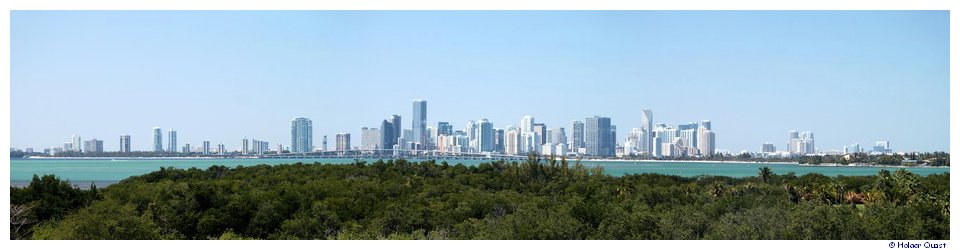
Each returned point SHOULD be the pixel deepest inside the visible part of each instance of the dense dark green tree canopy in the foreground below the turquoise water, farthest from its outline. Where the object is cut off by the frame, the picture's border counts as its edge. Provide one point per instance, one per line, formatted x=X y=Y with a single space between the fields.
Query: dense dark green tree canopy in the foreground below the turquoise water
x=535 y=199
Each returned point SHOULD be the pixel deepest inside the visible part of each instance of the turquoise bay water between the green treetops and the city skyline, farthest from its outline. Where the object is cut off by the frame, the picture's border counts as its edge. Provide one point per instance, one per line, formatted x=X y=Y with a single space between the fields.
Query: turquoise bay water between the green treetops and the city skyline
x=108 y=171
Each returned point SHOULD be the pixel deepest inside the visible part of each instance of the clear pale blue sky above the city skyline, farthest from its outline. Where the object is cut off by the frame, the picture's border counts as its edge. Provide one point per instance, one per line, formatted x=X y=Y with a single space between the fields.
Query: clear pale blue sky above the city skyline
x=848 y=76
